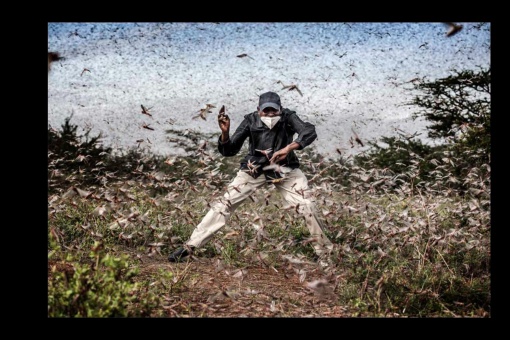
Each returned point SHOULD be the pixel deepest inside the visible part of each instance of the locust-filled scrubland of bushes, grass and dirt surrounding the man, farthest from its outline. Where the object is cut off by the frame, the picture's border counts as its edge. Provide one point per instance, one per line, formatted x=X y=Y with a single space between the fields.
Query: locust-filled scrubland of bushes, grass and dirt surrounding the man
x=410 y=225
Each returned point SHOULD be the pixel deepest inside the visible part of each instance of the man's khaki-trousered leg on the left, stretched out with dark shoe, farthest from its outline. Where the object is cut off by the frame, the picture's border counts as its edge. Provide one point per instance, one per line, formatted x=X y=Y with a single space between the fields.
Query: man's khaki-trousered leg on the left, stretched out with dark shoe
x=238 y=190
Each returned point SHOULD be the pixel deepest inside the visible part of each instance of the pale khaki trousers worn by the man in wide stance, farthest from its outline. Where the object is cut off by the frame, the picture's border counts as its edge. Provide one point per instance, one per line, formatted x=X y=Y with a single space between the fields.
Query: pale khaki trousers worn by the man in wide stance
x=294 y=190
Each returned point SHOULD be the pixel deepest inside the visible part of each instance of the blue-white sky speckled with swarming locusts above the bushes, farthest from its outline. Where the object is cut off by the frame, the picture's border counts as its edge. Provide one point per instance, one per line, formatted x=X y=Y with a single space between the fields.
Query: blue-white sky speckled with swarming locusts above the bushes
x=353 y=77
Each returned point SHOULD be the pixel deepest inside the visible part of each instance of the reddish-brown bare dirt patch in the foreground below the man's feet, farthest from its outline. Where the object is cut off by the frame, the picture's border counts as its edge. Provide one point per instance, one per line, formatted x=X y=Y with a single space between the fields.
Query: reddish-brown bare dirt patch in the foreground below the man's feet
x=205 y=287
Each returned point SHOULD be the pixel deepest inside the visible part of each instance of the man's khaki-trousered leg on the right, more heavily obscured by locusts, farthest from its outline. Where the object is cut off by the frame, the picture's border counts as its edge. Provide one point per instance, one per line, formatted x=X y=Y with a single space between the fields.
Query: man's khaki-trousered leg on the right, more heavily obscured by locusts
x=294 y=190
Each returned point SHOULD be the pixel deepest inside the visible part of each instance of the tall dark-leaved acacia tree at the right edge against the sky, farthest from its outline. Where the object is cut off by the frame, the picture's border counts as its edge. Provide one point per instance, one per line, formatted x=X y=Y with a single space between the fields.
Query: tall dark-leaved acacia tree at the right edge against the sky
x=458 y=109
